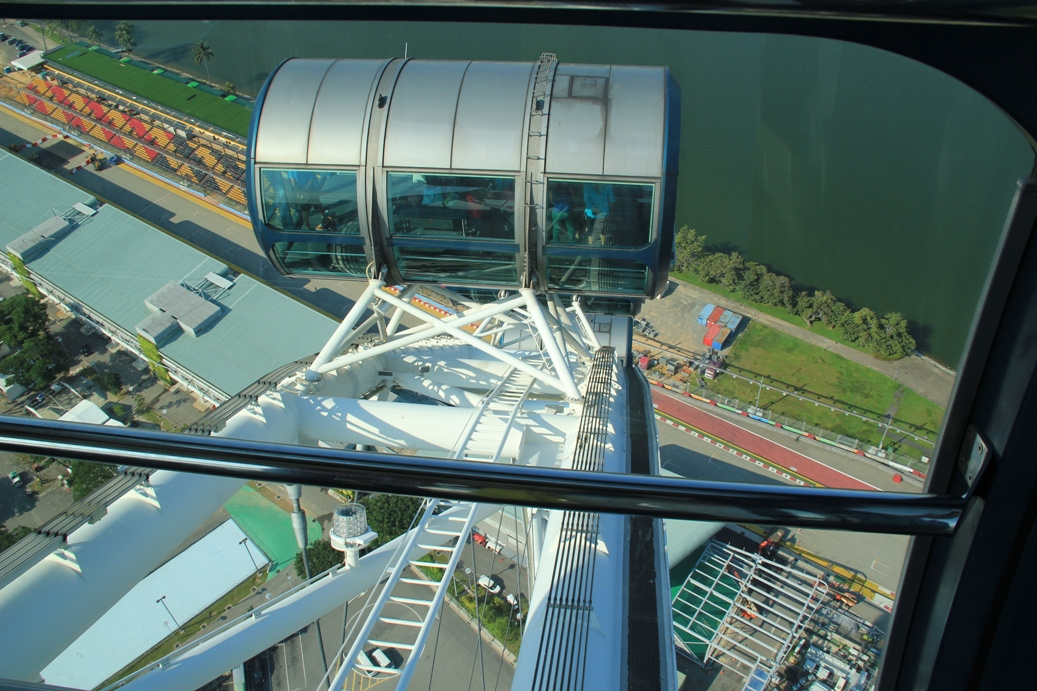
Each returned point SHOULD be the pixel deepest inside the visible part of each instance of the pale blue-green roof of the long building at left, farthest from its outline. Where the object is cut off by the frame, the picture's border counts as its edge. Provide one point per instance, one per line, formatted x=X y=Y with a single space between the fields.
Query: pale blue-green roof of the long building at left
x=114 y=262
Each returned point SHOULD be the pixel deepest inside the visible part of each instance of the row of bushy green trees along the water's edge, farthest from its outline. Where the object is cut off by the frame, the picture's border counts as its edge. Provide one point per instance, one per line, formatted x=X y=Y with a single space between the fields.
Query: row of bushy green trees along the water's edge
x=886 y=337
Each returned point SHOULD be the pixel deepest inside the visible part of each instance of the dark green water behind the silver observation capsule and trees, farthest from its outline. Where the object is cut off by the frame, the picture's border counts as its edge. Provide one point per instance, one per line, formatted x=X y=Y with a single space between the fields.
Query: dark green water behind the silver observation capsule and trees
x=846 y=168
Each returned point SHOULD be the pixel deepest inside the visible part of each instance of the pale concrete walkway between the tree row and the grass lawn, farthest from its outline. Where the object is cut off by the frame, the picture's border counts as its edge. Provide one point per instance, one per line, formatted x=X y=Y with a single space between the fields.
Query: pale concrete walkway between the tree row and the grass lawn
x=672 y=315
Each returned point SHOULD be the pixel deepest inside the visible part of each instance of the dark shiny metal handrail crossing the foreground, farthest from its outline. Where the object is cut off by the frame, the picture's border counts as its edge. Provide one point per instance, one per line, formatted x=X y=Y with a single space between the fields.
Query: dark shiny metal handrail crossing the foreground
x=527 y=486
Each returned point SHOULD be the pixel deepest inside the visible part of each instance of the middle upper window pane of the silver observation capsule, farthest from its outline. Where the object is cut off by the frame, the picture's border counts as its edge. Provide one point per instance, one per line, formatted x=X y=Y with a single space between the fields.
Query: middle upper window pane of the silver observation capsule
x=431 y=206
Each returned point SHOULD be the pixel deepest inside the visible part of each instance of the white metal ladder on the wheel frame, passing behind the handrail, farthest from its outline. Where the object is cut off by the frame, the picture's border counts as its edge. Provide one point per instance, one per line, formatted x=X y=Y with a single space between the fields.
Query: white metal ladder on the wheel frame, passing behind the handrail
x=484 y=439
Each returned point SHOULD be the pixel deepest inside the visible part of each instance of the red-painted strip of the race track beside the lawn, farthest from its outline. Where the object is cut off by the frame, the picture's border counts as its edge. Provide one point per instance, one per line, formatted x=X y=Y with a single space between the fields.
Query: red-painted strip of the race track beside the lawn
x=755 y=445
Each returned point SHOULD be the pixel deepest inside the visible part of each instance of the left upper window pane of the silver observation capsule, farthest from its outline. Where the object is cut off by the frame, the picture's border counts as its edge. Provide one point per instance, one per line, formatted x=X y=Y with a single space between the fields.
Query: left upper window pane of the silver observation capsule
x=323 y=201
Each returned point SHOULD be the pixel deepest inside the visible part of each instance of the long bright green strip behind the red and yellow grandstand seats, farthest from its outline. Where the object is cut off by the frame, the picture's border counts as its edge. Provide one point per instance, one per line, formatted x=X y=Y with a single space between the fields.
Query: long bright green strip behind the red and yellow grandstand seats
x=231 y=117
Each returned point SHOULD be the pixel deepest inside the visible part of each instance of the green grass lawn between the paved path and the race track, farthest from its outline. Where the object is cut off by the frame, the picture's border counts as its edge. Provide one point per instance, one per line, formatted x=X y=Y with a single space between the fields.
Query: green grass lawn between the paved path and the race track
x=768 y=355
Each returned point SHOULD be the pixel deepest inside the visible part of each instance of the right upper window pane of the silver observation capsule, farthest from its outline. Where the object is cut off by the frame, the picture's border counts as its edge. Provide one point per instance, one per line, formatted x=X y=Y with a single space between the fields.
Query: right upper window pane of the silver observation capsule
x=599 y=213
